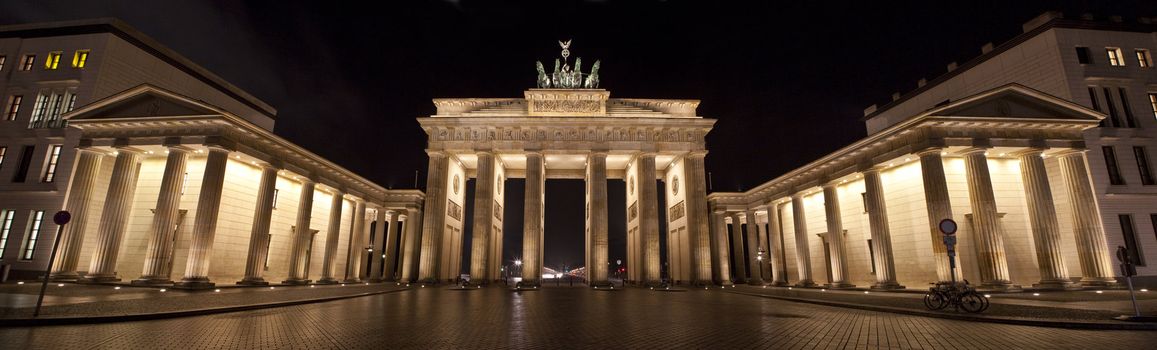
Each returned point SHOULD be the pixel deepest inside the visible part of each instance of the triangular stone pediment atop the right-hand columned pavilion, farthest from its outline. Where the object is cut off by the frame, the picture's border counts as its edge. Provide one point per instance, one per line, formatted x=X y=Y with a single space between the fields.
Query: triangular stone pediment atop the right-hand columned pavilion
x=1018 y=102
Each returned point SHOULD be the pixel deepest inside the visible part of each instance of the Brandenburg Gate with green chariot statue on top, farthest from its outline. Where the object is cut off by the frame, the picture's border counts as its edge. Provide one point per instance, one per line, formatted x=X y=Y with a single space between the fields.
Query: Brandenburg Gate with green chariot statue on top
x=568 y=129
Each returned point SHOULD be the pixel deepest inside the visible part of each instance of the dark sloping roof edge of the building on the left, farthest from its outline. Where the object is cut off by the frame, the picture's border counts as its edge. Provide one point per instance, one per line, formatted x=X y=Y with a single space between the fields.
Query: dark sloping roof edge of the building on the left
x=146 y=43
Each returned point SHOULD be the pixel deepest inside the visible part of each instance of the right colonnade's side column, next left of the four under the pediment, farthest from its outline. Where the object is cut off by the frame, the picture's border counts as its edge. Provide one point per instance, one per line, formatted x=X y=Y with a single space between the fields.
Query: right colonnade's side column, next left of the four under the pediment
x=881 y=235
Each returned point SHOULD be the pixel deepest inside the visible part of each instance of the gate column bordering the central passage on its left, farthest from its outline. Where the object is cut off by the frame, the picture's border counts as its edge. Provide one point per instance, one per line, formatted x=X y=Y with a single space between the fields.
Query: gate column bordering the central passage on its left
x=533 y=220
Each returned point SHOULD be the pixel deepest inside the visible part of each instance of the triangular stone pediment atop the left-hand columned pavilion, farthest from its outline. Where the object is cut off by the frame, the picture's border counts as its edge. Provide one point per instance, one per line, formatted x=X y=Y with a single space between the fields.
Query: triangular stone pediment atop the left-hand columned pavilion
x=143 y=103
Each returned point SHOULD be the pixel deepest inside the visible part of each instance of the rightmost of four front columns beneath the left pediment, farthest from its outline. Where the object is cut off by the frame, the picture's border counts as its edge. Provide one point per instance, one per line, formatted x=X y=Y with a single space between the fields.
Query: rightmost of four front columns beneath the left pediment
x=209 y=206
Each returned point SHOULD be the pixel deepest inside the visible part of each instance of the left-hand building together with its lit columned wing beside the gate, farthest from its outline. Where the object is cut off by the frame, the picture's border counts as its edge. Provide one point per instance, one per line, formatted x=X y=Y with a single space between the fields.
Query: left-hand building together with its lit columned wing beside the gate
x=173 y=175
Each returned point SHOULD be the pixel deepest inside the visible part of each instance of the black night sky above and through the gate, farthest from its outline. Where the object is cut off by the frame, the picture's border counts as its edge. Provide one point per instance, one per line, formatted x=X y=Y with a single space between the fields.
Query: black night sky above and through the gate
x=787 y=83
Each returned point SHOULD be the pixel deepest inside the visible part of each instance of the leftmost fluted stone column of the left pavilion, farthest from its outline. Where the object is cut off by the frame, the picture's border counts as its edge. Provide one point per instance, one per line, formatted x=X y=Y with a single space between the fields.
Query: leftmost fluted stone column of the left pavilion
x=84 y=182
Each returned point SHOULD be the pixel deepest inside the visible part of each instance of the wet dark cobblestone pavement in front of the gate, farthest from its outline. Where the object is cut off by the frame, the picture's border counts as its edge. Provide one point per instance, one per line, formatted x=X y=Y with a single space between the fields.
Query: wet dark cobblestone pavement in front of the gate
x=438 y=318
